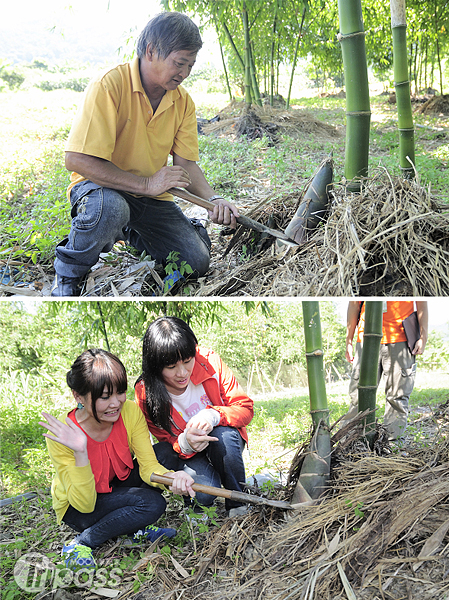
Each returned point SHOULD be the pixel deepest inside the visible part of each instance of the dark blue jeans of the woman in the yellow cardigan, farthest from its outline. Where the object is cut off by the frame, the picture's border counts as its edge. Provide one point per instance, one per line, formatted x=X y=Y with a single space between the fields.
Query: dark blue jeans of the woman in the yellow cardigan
x=130 y=506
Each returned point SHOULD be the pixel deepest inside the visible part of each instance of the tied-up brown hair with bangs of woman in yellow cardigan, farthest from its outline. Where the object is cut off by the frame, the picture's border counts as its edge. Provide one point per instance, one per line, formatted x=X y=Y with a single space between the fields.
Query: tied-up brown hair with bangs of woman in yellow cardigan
x=94 y=370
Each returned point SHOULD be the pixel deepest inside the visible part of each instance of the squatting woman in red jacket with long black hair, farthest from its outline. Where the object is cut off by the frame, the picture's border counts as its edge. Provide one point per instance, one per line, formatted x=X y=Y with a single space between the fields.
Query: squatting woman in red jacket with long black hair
x=195 y=408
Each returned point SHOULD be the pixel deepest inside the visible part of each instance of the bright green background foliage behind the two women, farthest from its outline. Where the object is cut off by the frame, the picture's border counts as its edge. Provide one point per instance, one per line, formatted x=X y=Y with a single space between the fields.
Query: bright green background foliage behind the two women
x=262 y=342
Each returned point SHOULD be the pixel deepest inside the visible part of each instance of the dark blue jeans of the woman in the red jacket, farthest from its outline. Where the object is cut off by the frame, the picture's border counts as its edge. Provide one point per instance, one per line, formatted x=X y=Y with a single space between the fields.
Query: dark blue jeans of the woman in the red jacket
x=221 y=463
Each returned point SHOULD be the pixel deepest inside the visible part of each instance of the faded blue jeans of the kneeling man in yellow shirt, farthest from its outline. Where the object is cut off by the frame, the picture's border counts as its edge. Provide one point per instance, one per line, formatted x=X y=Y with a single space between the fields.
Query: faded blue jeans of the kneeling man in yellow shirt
x=102 y=216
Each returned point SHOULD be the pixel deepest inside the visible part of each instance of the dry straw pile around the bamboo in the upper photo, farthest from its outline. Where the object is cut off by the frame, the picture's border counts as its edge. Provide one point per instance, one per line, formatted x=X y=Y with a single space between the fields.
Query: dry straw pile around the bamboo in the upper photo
x=391 y=239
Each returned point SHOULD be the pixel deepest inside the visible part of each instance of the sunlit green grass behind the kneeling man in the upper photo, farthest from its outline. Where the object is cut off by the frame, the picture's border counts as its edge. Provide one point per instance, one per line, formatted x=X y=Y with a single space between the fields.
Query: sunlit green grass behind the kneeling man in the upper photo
x=34 y=210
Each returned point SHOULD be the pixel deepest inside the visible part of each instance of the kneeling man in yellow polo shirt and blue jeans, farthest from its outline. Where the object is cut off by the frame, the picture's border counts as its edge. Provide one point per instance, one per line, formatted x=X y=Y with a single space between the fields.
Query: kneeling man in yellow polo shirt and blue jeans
x=132 y=118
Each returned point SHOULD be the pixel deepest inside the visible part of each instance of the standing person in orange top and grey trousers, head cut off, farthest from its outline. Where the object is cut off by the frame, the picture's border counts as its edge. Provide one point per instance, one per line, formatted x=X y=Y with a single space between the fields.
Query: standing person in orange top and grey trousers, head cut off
x=396 y=361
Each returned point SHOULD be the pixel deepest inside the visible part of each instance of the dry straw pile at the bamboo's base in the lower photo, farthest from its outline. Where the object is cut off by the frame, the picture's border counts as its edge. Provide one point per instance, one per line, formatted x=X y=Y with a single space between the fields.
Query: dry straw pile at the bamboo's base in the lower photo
x=380 y=532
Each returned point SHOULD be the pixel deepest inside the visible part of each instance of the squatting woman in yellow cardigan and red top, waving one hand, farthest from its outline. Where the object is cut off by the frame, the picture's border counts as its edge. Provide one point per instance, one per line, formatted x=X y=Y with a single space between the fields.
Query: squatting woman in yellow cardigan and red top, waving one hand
x=99 y=490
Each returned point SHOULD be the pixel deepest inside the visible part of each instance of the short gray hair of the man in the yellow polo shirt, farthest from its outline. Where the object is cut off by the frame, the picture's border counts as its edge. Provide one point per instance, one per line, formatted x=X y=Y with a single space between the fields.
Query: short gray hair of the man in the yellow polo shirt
x=169 y=32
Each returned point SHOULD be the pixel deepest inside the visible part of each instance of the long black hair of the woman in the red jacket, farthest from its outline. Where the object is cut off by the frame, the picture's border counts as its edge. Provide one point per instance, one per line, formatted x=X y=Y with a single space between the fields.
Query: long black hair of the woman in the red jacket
x=167 y=341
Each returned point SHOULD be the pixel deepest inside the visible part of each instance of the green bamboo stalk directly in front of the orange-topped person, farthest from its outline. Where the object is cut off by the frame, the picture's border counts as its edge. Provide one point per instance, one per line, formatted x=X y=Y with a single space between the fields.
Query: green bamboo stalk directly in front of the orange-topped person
x=367 y=388
